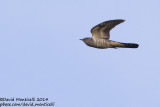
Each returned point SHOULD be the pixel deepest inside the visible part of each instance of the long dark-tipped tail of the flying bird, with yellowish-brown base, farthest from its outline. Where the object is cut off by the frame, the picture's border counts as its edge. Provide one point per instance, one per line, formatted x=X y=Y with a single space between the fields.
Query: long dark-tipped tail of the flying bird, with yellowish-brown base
x=124 y=45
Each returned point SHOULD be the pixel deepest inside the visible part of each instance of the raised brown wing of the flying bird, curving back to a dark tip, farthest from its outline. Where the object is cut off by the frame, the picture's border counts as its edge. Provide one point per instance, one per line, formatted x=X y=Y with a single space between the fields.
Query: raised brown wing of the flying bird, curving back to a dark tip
x=101 y=31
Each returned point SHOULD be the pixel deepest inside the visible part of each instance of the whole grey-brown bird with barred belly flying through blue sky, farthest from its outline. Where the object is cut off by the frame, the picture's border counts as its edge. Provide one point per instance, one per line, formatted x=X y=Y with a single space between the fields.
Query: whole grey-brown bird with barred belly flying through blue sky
x=101 y=35
